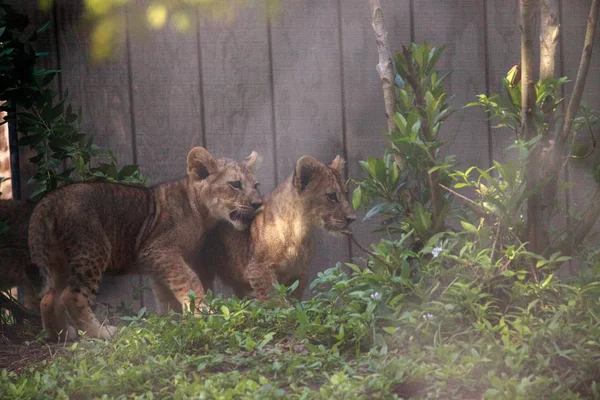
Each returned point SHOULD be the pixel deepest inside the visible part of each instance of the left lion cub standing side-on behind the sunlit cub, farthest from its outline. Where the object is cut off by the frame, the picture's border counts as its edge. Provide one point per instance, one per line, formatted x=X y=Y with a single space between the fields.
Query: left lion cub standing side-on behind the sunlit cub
x=85 y=229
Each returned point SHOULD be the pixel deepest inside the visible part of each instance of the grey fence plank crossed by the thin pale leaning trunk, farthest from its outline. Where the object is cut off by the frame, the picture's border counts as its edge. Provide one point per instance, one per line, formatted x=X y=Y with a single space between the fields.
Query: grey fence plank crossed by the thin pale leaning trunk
x=365 y=112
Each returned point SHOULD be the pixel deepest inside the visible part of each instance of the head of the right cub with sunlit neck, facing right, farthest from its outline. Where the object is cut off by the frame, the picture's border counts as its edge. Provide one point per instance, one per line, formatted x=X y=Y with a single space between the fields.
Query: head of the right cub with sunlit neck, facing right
x=324 y=192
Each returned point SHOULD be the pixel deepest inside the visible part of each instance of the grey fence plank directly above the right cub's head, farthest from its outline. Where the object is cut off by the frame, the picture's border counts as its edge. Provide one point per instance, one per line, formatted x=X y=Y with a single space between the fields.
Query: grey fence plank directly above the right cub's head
x=307 y=86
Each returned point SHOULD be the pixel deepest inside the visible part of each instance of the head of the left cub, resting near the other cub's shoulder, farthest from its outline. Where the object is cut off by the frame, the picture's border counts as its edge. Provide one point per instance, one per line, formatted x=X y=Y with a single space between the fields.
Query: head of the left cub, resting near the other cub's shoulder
x=227 y=188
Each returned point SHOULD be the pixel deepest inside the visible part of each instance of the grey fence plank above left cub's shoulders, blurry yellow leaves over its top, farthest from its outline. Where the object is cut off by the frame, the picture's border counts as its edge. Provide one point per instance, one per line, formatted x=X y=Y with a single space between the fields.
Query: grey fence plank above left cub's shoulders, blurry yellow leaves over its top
x=166 y=103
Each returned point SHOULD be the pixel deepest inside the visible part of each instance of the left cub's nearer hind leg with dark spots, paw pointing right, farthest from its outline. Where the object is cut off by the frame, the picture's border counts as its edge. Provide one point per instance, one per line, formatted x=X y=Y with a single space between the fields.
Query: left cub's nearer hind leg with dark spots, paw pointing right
x=89 y=259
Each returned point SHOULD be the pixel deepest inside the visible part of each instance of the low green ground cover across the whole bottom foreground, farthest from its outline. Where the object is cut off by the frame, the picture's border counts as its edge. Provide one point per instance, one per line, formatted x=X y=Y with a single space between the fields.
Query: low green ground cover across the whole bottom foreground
x=317 y=350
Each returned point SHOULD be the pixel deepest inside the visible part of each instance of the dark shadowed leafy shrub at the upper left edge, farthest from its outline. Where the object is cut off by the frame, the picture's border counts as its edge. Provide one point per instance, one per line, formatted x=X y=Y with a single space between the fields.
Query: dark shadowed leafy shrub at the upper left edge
x=51 y=128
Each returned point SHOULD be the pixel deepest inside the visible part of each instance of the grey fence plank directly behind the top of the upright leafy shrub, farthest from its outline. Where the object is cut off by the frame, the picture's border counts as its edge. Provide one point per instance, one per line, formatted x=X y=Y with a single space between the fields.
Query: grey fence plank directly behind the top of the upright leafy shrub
x=459 y=25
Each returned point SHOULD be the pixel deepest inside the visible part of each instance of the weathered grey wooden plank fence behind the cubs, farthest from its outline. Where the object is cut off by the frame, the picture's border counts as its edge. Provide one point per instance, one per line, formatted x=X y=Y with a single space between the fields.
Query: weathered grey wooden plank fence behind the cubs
x=301 y=82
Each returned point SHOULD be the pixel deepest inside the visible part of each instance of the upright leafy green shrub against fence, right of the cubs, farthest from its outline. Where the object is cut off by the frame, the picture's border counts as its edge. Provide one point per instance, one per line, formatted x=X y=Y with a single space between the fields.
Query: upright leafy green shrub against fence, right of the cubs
x=403 y=185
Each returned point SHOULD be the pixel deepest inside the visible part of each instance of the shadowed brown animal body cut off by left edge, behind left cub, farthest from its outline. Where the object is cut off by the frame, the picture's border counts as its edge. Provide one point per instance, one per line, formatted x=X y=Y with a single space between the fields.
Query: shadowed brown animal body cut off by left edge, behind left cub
x=14 y=253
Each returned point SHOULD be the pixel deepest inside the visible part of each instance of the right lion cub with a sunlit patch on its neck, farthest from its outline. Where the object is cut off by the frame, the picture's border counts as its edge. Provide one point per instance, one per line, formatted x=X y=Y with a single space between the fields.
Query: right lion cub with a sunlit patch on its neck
x=278 y=247
